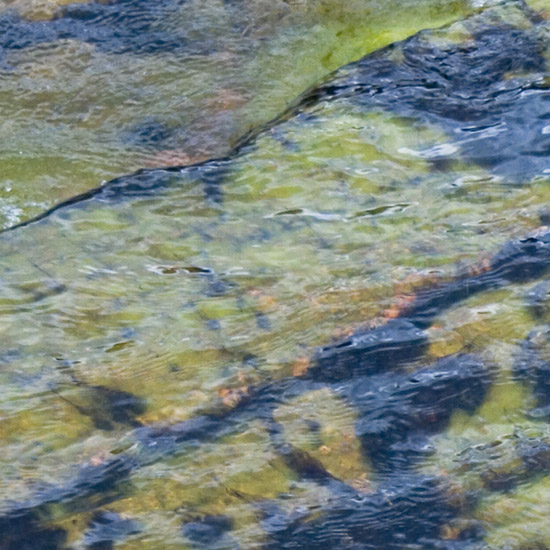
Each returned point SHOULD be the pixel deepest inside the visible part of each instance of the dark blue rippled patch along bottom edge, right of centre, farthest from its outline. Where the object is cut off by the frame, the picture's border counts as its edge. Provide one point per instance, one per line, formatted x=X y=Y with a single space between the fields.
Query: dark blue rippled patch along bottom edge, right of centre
x=406 y=510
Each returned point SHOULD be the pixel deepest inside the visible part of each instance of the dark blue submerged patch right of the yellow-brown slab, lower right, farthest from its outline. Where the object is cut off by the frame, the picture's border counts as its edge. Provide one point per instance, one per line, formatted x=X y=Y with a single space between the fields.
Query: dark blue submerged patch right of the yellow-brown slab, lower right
x=397 y=413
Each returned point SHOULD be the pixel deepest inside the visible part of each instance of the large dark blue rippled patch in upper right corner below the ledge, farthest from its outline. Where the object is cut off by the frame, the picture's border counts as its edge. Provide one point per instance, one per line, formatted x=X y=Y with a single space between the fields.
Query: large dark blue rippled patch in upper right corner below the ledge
x=489 y=90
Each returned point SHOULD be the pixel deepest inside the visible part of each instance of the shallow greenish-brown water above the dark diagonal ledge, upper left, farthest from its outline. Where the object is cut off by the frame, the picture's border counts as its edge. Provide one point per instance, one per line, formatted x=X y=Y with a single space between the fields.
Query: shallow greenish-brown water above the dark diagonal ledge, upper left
x=78 y=110
